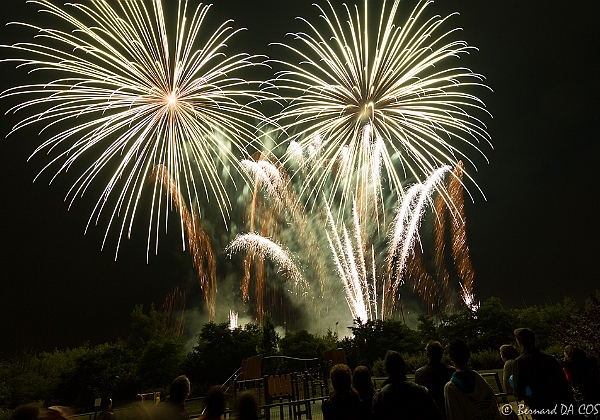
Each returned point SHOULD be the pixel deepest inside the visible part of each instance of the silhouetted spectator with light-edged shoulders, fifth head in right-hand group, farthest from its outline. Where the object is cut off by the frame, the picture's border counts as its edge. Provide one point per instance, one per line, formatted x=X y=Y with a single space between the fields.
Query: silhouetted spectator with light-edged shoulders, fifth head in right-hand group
x=468 y=396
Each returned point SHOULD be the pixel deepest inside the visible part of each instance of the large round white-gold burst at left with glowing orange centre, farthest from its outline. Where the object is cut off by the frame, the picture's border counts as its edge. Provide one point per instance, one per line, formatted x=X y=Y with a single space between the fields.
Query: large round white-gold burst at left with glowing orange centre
x=129 y=101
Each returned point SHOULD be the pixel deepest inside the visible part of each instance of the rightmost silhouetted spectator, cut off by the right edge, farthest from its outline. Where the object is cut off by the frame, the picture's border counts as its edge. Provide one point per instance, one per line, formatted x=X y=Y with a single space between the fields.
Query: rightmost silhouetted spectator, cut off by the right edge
x=583 y=375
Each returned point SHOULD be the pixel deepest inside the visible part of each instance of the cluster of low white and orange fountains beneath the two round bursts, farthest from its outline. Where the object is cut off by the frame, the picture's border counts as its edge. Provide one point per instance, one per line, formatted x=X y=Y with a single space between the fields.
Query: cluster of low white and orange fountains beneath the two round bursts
x=347 y=255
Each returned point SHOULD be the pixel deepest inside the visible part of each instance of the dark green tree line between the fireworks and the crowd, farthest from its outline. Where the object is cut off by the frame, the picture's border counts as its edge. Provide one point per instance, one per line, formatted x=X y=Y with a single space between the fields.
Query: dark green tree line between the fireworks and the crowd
x=153 y=354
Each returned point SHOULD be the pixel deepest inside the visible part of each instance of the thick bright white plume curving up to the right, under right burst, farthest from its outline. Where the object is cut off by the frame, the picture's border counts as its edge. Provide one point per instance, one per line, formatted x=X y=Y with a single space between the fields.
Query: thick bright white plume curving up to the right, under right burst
x=406 y=228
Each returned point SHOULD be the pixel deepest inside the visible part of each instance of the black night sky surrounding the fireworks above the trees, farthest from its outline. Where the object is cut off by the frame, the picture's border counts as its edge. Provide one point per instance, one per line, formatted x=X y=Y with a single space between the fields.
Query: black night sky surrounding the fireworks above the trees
x=533 y=241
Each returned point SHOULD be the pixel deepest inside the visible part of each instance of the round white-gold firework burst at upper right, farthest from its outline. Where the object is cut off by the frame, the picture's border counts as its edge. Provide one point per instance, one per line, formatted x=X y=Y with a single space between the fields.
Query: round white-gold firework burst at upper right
x=400 y=85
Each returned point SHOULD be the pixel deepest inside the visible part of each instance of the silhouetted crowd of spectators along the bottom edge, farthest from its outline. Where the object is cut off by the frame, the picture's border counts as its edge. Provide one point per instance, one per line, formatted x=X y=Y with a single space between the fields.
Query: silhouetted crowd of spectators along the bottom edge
x=543 y=388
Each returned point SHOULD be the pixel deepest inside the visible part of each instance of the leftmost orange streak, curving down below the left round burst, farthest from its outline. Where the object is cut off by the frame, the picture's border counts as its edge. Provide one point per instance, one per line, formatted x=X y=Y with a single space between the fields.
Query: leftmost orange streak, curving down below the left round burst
x=201 y=250
